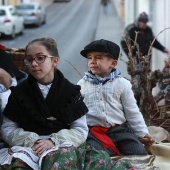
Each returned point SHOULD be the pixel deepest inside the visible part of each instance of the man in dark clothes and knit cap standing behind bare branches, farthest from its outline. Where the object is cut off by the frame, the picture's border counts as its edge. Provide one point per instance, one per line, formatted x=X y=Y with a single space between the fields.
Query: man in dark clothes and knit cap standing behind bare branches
x=144 y=39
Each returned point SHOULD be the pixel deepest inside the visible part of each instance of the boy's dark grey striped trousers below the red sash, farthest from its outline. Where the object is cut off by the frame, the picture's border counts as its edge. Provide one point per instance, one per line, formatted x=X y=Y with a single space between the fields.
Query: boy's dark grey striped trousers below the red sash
x=124 y=139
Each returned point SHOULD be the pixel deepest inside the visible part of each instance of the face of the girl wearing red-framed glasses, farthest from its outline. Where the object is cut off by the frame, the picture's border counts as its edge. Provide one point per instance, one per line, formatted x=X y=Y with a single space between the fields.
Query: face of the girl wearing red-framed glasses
x=43 y=72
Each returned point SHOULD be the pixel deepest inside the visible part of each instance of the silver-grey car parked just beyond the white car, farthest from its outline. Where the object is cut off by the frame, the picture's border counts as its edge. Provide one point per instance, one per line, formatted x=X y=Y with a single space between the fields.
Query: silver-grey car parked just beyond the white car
x=33 y=13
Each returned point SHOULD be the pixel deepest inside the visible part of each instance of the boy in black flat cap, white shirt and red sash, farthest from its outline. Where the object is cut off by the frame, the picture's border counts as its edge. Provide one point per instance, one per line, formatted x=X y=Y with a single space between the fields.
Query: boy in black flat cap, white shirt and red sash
x=114 y=119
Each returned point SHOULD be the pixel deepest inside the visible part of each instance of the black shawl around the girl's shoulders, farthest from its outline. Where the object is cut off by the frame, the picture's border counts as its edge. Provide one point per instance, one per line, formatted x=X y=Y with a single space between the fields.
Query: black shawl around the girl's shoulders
x=28 y=108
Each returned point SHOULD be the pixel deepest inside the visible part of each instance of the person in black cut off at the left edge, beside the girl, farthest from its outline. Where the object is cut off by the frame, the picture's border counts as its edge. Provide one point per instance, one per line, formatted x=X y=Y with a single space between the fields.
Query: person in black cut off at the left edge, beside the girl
x=10 y=76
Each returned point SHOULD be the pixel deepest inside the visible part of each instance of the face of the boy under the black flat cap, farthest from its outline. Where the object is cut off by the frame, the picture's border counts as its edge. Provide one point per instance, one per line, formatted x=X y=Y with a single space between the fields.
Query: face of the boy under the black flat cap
x=100 y=64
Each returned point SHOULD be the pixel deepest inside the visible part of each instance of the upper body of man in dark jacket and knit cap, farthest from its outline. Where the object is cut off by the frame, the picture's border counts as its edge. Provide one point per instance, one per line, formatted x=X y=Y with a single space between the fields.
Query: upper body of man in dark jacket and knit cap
x=144 y=38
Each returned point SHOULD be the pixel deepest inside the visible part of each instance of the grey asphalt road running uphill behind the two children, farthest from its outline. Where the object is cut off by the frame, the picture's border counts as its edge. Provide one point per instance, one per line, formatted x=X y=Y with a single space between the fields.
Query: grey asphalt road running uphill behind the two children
x=73 y=25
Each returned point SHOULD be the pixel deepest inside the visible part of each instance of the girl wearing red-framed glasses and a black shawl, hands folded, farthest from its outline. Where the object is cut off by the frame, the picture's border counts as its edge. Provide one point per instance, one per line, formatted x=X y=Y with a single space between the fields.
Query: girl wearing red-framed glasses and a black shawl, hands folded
x=45 y=111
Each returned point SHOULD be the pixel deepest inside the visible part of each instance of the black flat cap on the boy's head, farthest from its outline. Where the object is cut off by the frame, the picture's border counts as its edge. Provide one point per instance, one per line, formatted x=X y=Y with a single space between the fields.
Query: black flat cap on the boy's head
x=102 y=46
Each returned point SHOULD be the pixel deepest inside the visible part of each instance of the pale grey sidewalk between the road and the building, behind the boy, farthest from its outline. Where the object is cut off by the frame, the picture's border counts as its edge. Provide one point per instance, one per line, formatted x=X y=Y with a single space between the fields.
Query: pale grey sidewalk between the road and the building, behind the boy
x=111 y=27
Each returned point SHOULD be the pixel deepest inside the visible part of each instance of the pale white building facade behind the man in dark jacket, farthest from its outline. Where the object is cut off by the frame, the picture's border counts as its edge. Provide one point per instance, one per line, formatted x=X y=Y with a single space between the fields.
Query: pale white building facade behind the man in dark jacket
x=158 y=11
